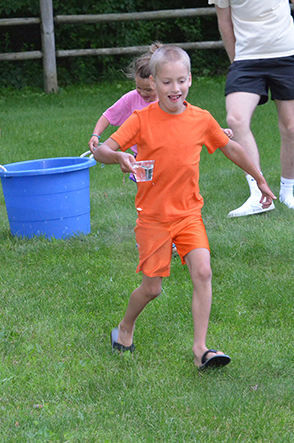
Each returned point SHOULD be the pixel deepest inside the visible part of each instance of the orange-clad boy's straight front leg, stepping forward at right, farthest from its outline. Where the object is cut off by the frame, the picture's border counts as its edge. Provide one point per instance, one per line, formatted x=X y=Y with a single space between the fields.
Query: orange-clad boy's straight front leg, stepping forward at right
x=198 y=262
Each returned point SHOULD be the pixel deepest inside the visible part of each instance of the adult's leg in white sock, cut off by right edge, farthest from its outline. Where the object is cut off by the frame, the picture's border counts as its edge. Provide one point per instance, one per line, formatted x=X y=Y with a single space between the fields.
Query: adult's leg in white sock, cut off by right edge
x=285 y=110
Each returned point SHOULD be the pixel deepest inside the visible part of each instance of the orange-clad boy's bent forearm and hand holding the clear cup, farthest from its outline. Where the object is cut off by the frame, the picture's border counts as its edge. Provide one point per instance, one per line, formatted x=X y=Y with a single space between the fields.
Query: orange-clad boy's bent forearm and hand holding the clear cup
x=108 y=153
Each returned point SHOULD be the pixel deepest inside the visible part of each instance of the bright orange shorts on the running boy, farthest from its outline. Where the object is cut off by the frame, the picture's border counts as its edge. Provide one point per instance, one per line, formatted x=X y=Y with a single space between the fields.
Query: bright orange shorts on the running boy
x=155 y=240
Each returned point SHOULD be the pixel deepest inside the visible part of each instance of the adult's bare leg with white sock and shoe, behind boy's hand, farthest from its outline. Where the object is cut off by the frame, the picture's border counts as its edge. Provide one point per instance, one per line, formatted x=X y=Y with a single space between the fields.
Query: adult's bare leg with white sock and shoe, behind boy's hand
x=240 y=108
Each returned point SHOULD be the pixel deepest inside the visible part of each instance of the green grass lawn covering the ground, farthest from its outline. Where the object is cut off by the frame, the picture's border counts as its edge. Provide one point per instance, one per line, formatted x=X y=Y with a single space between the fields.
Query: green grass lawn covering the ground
x=60 y=381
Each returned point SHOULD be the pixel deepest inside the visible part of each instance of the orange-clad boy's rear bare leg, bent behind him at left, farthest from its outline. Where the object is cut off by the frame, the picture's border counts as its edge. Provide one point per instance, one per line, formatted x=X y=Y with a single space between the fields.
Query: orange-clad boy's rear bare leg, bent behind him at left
x=149 y=289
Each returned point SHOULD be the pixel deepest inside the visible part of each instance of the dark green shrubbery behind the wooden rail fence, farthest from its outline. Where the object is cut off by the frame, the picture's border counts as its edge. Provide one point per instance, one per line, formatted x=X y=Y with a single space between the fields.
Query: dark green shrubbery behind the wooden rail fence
x=116 y=34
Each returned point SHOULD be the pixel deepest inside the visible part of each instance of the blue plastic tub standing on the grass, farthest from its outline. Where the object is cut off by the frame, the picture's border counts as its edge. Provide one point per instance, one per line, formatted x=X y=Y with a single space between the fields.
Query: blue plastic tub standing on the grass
x=49 y=197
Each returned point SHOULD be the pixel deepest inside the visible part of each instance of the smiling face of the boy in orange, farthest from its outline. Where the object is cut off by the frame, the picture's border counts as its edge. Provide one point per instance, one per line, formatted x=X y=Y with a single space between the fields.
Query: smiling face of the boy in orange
x=172 y=83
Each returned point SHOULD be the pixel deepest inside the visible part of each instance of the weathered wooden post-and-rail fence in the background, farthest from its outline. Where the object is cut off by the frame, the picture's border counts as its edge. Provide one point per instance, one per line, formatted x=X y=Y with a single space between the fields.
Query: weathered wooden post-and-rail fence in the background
x=49 y=53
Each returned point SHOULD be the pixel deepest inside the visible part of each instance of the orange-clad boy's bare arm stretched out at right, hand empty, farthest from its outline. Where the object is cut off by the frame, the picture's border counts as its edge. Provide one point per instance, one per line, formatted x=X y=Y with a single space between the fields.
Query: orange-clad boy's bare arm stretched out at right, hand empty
x=234 y=152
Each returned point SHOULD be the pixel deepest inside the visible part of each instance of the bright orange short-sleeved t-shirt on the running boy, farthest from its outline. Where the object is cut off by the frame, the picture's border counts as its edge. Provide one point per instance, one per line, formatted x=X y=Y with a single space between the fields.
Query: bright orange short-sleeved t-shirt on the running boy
x=175 y=143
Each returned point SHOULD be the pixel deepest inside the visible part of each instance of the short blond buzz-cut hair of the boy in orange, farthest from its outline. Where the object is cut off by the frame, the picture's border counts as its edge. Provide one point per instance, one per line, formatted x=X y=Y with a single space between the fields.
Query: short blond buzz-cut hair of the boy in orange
x=168 y=53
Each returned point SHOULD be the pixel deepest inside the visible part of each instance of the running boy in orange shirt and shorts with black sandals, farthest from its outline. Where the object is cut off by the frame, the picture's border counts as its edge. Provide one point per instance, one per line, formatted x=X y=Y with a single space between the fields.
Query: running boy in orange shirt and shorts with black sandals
x=172 y=133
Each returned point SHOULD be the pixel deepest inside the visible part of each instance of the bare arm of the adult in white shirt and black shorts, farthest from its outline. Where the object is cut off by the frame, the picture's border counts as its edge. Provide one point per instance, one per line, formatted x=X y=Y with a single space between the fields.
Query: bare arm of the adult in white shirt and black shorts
x=226 y=30
